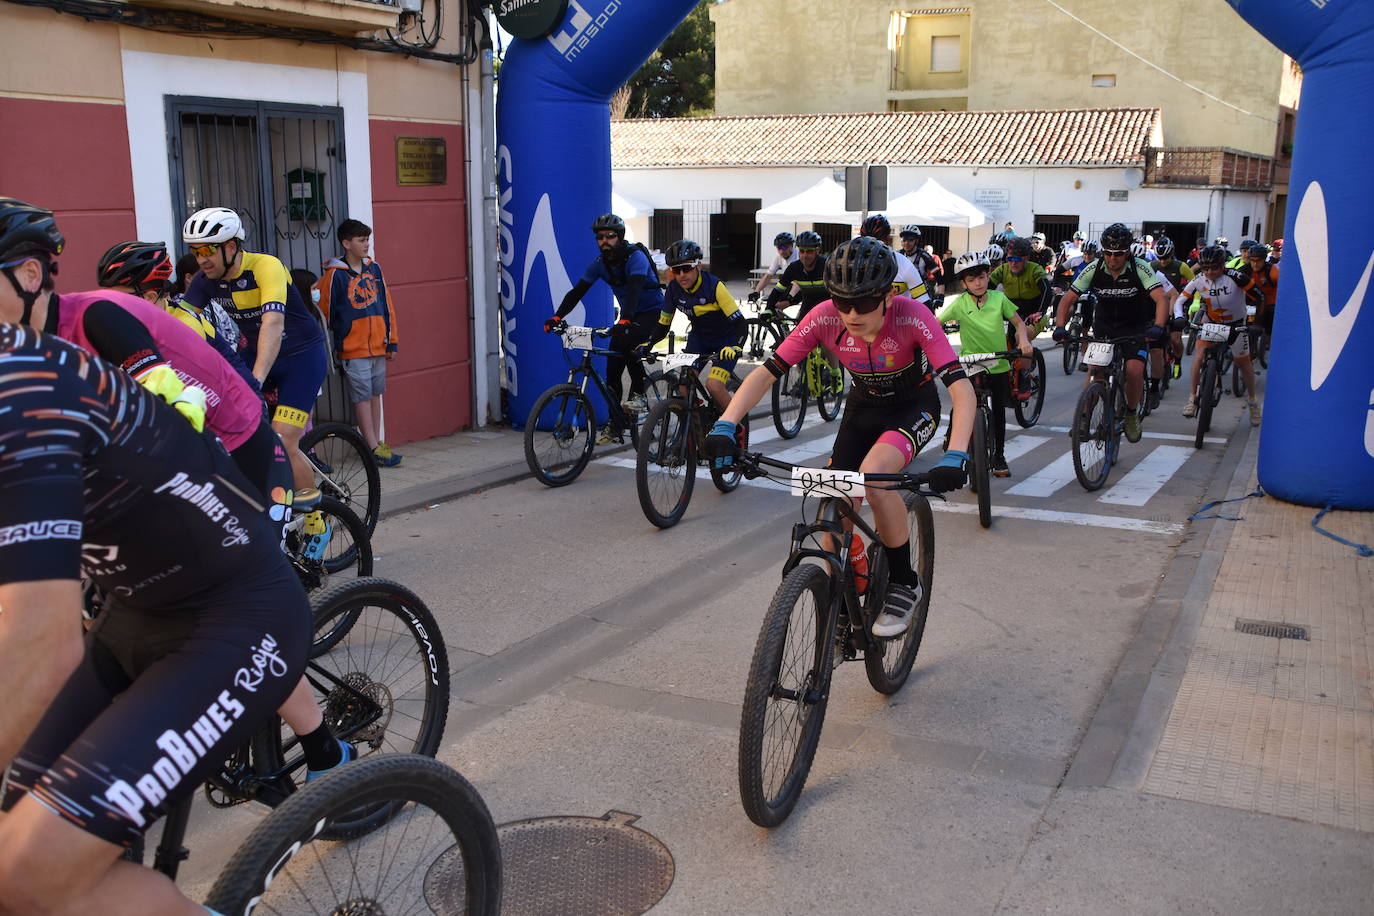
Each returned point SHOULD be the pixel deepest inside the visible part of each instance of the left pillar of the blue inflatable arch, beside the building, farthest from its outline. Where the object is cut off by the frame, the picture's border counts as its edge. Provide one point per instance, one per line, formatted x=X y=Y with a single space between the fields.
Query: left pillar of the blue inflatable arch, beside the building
x=553 y=171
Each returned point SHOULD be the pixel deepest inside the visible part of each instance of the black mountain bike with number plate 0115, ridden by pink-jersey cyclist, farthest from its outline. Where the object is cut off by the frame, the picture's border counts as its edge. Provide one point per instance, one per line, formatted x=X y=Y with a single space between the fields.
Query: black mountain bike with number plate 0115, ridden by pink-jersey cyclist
x=817 y=621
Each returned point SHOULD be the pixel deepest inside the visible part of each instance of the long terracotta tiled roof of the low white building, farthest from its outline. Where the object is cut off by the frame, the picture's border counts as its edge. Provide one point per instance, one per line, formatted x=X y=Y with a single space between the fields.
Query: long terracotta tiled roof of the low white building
x=1072 y=137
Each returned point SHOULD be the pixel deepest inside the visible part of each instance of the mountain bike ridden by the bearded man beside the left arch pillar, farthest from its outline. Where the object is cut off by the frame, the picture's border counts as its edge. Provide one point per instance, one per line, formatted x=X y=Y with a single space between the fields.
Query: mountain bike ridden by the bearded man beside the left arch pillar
x=563 y=426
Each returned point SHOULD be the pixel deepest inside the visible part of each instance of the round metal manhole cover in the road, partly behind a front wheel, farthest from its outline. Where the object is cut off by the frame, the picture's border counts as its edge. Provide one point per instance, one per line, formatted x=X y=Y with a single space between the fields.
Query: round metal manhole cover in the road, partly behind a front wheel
x=567 y=867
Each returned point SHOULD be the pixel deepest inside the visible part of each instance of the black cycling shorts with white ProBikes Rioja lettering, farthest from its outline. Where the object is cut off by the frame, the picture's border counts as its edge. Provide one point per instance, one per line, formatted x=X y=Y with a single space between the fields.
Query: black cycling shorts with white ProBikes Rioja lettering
x=161 y=701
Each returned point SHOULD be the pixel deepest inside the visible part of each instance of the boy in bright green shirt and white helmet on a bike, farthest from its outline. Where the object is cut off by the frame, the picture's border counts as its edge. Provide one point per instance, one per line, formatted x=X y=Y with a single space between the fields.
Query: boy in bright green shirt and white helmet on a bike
x=982 y=317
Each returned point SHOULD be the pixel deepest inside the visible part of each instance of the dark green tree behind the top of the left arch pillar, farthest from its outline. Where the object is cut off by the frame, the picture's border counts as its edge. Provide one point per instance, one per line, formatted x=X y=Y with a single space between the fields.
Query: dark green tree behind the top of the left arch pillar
x=678 y=80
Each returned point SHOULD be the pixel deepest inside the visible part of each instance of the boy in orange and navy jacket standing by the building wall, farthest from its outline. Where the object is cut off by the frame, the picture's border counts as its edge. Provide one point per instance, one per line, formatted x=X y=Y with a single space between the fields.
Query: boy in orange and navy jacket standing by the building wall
x=362 y=319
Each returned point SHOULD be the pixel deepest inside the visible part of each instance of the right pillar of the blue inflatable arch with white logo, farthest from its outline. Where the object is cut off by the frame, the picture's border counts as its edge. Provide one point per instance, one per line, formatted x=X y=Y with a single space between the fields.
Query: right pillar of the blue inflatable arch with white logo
x=1317 y=444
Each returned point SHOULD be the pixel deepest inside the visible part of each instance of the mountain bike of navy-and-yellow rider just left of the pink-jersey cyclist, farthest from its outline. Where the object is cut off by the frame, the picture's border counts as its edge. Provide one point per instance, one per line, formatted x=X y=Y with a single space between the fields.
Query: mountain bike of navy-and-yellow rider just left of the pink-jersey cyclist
x=671 y=443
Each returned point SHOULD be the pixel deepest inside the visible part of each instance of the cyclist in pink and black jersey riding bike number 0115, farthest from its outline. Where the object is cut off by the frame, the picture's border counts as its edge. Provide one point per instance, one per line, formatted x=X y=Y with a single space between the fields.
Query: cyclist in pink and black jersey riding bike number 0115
x=894 y=348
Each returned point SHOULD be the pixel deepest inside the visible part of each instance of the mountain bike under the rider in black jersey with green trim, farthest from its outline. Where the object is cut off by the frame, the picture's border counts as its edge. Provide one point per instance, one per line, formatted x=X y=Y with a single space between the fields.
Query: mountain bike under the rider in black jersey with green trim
x=1100 y=417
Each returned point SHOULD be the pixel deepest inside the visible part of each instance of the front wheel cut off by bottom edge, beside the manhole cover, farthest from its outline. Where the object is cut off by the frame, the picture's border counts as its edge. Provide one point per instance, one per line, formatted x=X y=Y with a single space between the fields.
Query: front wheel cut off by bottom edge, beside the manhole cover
x=284 y=867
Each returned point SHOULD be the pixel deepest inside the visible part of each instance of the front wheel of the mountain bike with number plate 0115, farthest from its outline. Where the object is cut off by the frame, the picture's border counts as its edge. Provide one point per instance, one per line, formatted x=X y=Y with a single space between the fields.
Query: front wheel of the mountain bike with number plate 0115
x=781 y=697
